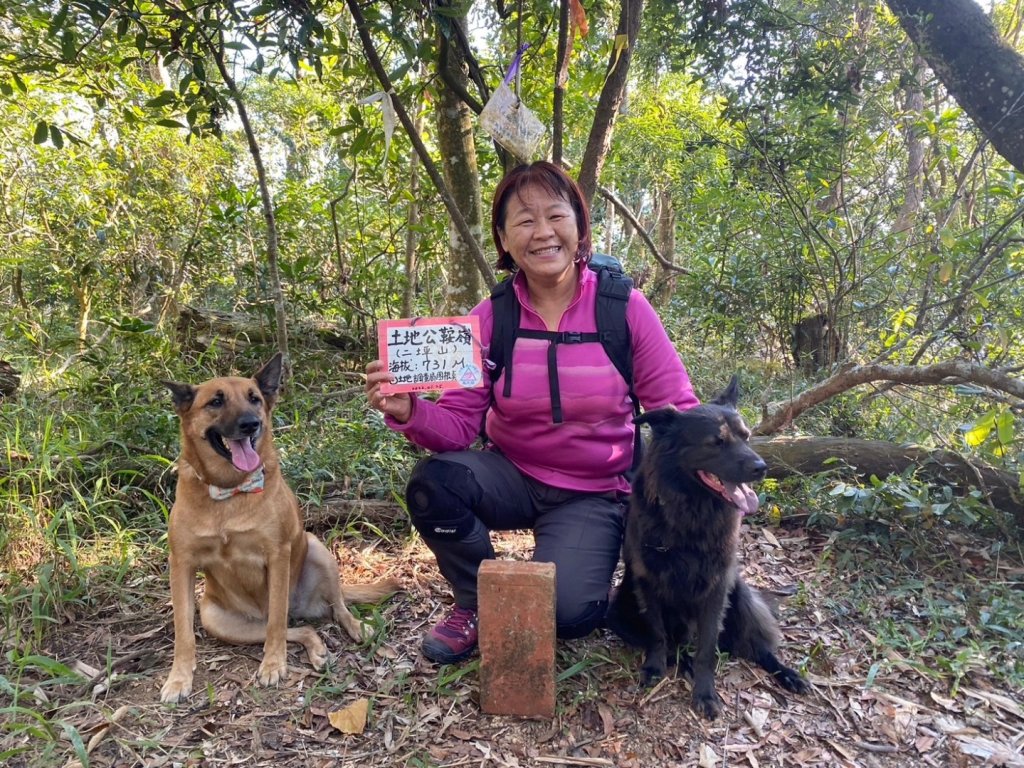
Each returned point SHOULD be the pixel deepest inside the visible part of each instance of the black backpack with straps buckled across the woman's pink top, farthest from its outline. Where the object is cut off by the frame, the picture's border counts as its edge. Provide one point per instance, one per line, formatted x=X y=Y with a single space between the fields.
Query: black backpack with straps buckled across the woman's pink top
x=614 y=288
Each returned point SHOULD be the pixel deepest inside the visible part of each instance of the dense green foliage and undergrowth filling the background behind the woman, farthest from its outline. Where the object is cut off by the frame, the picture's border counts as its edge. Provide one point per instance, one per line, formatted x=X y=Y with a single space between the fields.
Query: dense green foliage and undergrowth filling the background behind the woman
x=775 y=141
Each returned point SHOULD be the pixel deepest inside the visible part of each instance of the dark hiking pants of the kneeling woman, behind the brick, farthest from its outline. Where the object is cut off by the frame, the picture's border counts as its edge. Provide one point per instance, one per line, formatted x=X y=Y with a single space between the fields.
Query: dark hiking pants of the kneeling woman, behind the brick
x=456 y=499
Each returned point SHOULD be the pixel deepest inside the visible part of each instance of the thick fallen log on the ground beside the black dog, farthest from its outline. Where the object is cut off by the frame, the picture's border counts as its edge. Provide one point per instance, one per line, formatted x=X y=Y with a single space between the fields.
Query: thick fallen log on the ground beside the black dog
x=802 y=456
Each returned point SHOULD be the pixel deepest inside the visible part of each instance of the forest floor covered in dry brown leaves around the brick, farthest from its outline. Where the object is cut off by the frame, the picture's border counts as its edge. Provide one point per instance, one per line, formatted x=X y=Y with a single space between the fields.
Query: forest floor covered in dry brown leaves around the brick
x=865 y=621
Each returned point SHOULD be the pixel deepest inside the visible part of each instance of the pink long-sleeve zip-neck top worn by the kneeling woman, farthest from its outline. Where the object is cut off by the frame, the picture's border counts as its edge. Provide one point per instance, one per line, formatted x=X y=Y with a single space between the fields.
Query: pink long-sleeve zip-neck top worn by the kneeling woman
x=591 y=449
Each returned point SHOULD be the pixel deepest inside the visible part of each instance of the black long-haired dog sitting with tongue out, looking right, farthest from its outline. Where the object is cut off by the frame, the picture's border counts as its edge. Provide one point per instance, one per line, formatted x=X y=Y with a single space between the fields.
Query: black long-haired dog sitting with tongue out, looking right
x=681 y=580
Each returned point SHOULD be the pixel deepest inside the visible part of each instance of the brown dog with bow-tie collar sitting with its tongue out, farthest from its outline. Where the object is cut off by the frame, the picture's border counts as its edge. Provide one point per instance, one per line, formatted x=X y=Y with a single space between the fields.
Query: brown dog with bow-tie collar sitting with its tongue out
x=236 y=520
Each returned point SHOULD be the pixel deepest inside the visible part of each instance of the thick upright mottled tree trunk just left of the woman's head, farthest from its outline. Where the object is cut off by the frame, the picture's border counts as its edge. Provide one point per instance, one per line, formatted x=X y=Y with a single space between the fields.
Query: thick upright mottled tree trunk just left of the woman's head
x=458 y=151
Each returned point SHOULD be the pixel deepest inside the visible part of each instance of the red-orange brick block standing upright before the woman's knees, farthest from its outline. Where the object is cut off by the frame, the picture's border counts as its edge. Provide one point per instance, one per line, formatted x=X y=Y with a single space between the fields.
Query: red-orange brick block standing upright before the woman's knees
x=517 y=605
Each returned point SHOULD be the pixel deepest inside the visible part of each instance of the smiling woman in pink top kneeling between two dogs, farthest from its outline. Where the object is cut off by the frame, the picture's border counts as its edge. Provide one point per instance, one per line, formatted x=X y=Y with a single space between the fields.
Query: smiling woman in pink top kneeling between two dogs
x=562 y=477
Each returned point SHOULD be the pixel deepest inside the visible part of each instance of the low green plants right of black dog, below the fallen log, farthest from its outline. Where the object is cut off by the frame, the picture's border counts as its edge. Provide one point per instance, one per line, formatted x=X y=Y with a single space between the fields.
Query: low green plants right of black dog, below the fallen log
x=920 y=571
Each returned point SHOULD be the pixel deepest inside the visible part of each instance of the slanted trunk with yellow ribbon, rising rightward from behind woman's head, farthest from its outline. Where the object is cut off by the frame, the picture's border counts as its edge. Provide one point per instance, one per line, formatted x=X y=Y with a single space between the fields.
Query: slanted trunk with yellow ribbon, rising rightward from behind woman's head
x=612 y=97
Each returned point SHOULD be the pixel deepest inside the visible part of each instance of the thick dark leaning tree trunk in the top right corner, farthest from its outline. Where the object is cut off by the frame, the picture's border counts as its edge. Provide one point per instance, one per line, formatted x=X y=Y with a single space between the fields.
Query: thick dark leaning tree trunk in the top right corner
x=975 y=65
